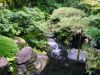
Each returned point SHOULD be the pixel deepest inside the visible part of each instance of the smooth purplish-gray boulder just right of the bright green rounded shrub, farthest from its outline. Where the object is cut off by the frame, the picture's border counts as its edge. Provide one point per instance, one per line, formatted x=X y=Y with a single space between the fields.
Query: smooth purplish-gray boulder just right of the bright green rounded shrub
x=25 y=55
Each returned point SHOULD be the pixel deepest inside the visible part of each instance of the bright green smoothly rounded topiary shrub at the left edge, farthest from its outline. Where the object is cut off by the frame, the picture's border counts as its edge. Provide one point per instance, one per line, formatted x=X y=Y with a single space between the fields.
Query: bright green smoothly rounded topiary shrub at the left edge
x=8 y=48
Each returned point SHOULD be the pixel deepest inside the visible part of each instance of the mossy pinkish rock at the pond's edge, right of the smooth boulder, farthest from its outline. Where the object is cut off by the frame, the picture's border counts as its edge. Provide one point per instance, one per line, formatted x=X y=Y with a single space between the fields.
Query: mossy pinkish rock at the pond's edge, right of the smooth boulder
x=38 y=66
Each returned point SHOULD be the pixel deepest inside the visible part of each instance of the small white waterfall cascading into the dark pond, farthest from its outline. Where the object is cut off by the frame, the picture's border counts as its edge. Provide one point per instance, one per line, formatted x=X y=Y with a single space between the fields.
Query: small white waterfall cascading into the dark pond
x=57 y=52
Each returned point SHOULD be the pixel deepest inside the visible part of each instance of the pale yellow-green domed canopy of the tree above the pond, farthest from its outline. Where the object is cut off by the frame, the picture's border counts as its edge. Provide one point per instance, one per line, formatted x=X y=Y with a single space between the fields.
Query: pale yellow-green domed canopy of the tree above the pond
x=65 y=18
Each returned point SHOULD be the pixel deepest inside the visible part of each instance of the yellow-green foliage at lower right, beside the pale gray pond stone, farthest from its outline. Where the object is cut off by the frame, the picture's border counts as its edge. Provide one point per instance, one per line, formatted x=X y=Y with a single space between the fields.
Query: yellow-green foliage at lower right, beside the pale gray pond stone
x=93 y=60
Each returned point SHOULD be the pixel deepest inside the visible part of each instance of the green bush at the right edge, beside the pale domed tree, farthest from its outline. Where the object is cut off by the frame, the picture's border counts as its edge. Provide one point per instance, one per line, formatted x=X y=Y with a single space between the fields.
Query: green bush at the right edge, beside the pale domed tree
x=93 y=31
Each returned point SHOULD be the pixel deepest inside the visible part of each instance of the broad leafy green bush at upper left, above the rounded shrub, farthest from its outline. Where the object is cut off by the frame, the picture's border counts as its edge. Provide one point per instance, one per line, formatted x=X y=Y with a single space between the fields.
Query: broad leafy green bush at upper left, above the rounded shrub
x=20 y=21
